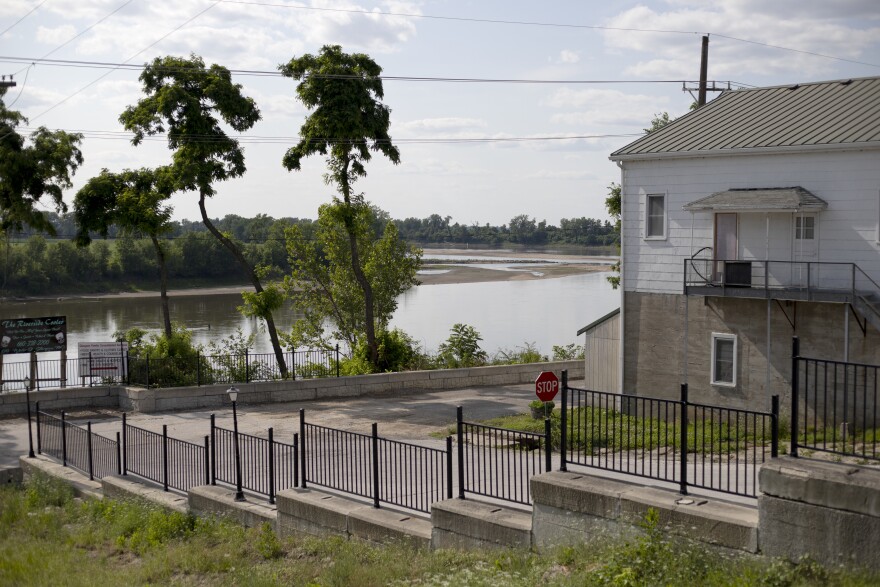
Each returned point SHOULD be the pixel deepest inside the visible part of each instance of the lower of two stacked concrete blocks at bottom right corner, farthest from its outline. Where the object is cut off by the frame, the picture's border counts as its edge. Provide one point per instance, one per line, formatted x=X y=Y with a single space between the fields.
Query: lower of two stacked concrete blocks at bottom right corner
x=792 y=529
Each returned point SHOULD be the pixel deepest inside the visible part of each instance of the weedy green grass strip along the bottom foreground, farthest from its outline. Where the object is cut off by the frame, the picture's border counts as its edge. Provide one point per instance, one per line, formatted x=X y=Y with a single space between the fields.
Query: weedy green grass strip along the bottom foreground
x=48 y=537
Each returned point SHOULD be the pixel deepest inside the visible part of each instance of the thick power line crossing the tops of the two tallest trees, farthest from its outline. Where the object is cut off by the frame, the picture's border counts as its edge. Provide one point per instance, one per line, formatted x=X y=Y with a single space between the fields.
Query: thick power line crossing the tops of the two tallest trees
x=268 y=73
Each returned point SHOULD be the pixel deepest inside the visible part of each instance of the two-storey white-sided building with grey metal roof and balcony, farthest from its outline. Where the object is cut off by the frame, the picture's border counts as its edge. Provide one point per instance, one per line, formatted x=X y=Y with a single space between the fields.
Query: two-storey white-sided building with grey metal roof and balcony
x=747 y=221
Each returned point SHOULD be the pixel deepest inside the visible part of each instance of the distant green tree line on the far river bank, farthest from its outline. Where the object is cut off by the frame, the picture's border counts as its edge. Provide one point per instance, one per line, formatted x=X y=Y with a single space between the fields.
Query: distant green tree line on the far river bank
x=33 y=264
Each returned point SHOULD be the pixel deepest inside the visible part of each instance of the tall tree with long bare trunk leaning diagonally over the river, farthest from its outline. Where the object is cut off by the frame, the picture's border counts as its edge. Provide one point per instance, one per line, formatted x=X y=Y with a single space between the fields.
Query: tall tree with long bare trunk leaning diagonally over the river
x=190 y=101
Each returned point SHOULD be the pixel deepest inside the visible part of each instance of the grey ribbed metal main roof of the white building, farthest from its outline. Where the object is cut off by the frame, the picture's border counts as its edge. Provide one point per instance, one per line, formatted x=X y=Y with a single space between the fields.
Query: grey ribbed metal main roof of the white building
x=841 y=113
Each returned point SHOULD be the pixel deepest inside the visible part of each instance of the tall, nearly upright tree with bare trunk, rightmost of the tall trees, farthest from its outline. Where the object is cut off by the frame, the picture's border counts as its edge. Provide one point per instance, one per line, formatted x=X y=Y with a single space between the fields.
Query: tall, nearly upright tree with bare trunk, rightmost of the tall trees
x=347 y=122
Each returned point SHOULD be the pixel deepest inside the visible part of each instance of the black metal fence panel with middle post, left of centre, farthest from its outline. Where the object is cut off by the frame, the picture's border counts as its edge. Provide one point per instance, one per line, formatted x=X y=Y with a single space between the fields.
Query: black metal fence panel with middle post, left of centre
x=381 y=469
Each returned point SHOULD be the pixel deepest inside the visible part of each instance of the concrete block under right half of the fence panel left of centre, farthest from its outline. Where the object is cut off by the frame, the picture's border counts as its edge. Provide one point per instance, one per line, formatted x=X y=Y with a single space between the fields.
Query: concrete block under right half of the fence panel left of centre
x=384 y=526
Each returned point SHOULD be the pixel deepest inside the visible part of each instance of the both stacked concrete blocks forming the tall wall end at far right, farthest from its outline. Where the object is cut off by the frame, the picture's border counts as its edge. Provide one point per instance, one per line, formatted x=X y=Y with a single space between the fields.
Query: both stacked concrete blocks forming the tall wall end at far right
x=828 y=511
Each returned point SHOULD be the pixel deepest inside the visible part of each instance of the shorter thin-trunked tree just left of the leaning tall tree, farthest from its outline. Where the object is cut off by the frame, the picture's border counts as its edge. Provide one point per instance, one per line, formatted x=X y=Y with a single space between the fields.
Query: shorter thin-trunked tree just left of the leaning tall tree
x=135 y=202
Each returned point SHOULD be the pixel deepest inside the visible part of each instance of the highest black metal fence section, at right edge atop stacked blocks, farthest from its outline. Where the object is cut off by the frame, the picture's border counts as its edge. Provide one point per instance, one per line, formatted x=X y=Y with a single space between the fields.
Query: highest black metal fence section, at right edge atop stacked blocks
x=834 y=407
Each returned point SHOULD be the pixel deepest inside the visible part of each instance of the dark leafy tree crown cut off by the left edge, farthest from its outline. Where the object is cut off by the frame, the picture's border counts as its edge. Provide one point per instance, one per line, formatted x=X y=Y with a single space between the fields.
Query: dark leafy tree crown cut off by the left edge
x=32 y=169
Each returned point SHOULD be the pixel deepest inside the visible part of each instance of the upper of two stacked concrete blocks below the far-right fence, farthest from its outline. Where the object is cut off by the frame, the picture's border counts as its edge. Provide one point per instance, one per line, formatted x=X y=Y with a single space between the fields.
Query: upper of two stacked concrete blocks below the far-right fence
x=842 y=487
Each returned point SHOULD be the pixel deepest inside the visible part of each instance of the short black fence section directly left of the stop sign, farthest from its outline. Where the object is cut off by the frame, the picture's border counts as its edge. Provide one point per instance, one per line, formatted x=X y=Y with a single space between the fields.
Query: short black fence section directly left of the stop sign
x=498 y=462
